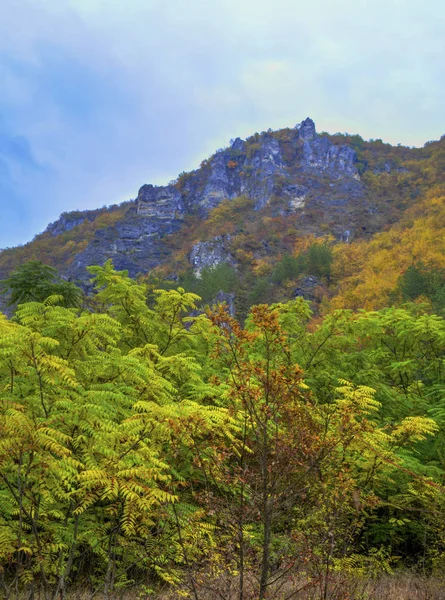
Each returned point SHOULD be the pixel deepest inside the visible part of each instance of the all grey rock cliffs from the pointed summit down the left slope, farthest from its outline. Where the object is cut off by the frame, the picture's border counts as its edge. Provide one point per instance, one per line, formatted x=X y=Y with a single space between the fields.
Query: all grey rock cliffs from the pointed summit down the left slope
x=306 y=172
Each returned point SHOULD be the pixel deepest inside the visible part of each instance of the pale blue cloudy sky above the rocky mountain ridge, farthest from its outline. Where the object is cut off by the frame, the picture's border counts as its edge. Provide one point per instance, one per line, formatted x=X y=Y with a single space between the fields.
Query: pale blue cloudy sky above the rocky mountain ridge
x=98 y=97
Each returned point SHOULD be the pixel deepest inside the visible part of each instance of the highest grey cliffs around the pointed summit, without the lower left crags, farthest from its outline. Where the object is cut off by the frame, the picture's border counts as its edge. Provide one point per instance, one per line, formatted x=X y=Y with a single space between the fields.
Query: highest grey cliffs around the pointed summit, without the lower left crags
x=255 y=169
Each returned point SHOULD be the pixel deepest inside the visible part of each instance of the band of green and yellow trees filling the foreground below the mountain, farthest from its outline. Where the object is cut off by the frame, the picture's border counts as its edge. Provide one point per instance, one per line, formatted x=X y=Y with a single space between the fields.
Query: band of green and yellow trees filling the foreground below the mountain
x=151 y=448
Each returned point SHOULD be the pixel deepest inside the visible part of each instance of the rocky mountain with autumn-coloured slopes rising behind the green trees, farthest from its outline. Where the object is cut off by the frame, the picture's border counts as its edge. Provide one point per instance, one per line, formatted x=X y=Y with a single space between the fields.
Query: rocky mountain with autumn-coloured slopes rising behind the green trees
x=250 y=205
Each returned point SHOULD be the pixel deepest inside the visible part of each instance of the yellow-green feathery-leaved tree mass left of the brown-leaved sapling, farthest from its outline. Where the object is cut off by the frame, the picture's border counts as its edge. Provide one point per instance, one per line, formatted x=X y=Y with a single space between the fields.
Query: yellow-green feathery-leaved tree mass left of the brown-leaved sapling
x=89 y=412
